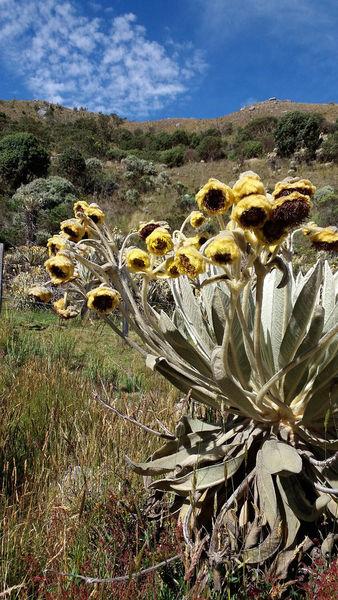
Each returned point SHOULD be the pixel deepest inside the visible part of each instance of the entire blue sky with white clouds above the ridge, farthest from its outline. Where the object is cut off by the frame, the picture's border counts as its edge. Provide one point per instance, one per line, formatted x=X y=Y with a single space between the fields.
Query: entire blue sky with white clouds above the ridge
x=148 y=59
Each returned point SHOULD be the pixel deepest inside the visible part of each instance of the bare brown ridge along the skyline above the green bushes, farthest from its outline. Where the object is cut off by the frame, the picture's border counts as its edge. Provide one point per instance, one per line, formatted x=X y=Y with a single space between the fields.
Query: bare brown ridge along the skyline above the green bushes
x=42 y=110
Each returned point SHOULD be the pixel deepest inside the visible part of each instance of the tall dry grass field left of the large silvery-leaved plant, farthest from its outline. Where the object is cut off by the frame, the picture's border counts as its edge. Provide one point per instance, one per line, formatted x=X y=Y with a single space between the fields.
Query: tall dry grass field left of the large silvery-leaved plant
x=68 y=502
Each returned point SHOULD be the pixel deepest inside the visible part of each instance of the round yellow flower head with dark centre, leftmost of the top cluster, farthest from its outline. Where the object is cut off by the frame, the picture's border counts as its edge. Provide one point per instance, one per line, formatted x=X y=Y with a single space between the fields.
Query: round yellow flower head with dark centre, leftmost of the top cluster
x=215 y=197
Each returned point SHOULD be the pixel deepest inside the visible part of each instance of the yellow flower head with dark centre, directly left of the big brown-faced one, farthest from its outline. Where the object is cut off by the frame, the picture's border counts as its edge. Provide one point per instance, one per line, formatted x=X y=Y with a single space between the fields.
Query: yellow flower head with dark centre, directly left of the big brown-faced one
x=252 y=212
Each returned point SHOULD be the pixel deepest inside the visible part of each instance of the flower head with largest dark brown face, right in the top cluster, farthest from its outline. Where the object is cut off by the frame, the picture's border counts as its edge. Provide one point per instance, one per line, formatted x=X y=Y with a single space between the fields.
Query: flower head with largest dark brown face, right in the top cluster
x=291 y=210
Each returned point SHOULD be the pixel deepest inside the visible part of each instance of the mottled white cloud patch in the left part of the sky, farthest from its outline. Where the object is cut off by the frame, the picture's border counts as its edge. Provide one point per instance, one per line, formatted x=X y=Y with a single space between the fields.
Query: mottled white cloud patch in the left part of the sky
x=109 y=65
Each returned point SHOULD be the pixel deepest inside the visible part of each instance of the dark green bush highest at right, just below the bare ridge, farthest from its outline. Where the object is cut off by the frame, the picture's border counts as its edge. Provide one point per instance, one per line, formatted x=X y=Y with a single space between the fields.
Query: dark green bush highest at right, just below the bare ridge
x=296 y=129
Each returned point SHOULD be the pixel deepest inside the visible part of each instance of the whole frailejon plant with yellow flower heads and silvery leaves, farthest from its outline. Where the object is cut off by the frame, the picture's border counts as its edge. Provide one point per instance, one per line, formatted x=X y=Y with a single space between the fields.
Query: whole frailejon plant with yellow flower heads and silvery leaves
x=248 y=340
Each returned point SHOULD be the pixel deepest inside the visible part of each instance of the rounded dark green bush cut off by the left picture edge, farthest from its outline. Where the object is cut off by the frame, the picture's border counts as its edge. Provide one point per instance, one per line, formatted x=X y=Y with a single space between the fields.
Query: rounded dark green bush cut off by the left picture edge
x=22 y=158
